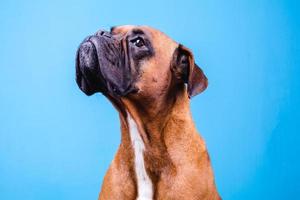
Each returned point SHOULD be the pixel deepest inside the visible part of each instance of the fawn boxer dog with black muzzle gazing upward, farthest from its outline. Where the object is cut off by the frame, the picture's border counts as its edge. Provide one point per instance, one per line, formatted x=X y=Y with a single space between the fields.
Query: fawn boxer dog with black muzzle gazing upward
x=149 y=78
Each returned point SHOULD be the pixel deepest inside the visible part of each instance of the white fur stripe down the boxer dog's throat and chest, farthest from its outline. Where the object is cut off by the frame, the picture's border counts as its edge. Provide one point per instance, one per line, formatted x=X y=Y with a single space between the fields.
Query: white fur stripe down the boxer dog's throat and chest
x=144 y=184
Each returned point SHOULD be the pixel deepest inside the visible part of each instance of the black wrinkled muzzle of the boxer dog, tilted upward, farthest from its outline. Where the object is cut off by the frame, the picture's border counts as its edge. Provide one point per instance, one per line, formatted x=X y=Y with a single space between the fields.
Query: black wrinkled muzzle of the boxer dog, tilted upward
x=103 y=66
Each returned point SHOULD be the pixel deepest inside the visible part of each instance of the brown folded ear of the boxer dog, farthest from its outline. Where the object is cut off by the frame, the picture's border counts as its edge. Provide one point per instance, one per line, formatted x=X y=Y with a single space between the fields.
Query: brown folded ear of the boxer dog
x=185 y=68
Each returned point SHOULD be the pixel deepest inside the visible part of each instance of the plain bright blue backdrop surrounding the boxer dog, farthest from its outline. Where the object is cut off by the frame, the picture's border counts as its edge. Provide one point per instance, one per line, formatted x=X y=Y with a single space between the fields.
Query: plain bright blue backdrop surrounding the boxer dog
x=56 y=143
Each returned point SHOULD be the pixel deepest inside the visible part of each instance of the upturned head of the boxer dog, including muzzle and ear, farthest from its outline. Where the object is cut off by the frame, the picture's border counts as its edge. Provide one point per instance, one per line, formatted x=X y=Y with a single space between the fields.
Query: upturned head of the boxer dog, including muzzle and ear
x=136 y=61
